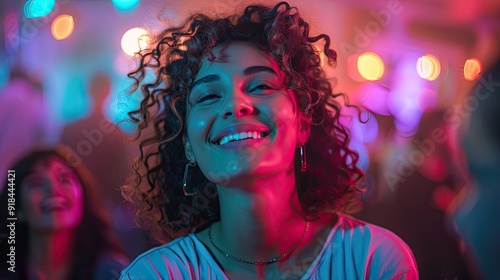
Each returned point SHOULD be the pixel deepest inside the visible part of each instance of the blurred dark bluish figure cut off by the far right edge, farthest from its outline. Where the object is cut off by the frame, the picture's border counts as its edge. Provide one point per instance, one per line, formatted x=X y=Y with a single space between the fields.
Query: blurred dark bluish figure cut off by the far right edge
x=477 y=216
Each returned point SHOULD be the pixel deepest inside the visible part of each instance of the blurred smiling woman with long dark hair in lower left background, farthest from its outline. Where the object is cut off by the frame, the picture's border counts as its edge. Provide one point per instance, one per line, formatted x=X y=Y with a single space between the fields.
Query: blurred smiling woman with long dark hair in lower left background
x=61 y=231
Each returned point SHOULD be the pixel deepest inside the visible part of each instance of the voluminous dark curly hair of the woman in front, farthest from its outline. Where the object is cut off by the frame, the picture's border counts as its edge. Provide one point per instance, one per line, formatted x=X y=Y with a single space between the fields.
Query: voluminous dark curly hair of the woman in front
x=175 y=58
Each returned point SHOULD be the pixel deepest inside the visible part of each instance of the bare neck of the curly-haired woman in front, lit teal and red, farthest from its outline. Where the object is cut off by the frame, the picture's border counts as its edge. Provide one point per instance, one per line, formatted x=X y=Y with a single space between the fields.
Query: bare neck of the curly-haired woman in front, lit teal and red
x=261 y=223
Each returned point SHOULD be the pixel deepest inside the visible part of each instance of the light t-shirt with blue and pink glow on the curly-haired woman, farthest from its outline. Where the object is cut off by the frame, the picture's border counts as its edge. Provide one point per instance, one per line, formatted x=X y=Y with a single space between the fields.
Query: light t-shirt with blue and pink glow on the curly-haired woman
x=353 y=250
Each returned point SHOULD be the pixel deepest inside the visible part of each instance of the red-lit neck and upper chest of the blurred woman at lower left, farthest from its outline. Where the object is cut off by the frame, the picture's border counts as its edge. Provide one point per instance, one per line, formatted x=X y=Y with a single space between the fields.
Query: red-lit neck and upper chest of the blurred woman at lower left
x=50 y=255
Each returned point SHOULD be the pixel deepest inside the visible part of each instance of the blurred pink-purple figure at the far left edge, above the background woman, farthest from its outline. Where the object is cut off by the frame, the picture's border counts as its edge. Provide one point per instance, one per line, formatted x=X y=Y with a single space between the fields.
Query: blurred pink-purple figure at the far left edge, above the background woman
x=24 y=119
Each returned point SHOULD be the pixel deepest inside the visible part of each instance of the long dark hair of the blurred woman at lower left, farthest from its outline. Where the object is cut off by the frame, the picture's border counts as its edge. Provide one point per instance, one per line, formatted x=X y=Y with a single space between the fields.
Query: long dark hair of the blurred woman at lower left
x=94 y=235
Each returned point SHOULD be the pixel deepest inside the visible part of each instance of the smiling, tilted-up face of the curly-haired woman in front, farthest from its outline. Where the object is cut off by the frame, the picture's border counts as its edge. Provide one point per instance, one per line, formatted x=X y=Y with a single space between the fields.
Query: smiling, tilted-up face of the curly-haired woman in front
x=242 y=122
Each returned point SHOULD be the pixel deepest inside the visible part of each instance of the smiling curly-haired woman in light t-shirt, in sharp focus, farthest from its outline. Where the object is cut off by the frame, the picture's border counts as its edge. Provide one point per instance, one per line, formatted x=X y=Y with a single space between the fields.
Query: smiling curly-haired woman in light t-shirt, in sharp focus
x=237 y=104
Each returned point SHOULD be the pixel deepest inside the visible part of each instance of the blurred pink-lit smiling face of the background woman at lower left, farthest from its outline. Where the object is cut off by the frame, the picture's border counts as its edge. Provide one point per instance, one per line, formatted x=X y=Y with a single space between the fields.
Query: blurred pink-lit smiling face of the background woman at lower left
x=52 y=197
